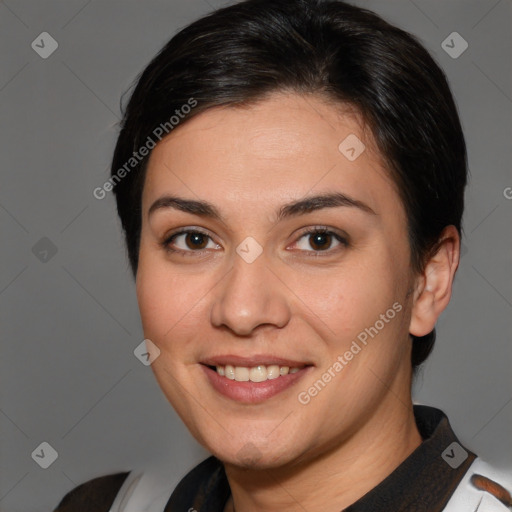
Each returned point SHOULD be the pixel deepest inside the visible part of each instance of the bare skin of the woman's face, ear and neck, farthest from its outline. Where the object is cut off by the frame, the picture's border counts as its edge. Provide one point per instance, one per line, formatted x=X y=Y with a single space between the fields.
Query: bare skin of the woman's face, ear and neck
x=293 y=301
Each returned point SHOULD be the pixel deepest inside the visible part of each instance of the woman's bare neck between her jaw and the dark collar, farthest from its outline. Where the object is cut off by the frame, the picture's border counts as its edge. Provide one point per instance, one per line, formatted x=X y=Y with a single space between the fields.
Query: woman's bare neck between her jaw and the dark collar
x=336 y=478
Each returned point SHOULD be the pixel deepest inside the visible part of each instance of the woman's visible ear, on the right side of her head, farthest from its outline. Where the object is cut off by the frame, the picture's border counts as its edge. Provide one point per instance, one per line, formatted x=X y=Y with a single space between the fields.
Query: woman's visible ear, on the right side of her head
x=433 y=288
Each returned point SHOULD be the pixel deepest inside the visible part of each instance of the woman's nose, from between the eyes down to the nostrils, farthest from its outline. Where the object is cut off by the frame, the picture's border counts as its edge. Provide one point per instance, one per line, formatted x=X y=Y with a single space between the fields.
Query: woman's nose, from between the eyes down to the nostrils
x=249 y=296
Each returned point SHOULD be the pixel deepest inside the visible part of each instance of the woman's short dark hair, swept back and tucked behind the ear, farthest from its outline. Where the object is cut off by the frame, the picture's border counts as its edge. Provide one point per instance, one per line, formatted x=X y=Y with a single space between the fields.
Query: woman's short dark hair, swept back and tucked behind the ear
x=241 y=53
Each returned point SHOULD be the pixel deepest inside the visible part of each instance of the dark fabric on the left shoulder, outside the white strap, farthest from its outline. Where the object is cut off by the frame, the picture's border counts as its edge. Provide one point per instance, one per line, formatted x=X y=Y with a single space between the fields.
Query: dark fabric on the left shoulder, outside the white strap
x=96 y=494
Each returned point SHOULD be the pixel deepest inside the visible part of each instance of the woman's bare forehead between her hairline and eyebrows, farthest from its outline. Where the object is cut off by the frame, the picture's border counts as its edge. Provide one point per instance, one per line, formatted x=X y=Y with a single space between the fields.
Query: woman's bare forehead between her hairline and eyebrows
x=278 y=149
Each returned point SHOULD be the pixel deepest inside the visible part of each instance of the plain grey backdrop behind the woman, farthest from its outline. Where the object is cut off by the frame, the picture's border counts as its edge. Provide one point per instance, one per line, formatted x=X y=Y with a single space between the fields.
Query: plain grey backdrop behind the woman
x=70 y=323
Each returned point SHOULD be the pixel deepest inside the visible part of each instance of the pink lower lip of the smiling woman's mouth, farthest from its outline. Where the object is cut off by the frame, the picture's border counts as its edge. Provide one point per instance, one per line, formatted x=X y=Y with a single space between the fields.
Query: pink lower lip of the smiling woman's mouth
x=252 y=392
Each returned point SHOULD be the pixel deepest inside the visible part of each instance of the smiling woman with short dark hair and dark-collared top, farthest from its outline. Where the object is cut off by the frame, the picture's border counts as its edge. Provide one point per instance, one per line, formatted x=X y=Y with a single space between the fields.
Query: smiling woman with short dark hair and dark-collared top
x=290 y=180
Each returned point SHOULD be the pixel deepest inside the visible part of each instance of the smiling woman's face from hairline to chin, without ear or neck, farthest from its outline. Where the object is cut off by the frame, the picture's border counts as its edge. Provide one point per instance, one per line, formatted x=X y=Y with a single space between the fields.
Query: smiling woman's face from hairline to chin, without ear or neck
x=282 y=321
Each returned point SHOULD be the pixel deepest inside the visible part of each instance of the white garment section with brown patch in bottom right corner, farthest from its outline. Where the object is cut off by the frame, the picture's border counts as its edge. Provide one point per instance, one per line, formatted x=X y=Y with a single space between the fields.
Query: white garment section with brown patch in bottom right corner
x=483 y=488
